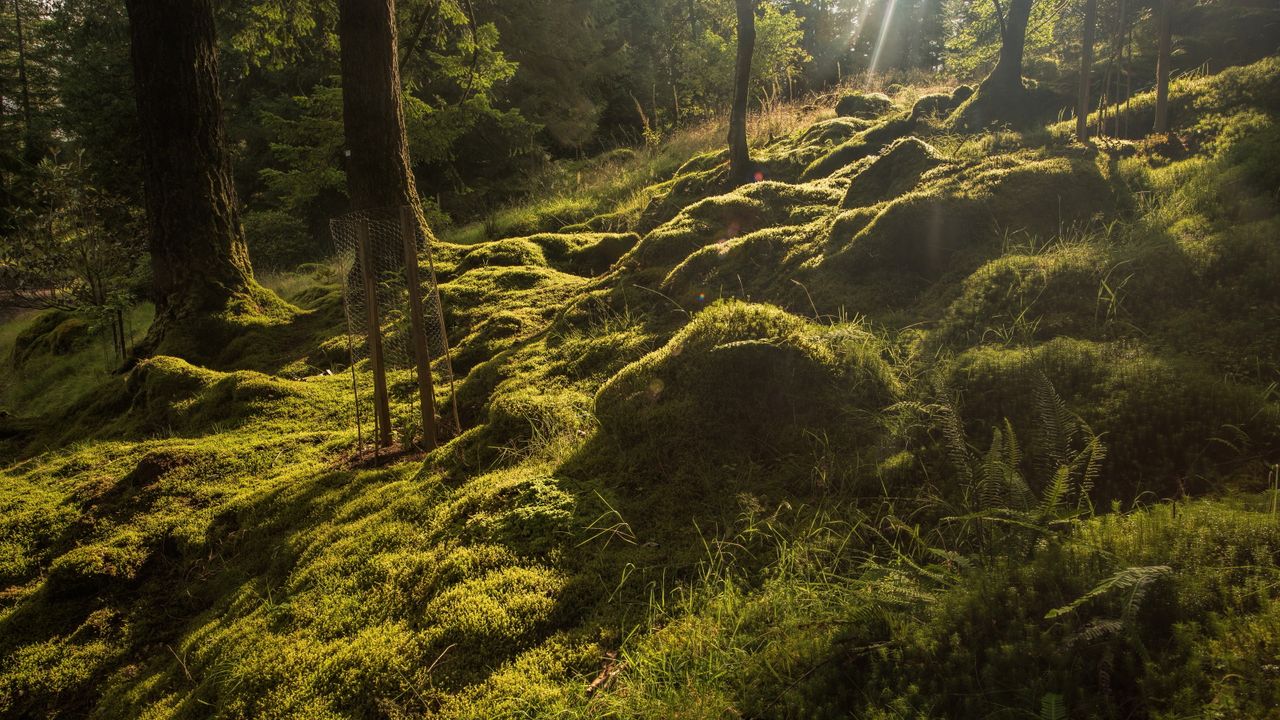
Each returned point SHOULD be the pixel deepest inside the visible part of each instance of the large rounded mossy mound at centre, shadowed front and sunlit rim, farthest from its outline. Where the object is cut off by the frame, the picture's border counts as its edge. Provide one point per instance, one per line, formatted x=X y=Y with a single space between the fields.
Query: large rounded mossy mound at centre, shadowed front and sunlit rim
x=748 y=382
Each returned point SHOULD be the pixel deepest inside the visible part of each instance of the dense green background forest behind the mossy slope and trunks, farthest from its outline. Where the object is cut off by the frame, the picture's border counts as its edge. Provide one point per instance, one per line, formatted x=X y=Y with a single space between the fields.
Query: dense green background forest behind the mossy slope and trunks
x=497 y=90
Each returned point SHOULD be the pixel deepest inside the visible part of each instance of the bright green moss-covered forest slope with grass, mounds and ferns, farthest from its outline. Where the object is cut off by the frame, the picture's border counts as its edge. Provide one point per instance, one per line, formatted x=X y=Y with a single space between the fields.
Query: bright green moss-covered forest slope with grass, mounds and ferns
x=924 y=425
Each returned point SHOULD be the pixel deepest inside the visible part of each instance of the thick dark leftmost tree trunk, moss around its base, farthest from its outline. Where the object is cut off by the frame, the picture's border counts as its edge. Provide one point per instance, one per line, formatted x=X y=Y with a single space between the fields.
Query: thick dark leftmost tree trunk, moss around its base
x=199 y=258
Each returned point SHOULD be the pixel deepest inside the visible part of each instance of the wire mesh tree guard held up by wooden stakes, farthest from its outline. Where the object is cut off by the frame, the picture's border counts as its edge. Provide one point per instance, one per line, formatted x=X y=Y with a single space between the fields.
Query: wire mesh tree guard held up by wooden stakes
x=403 y=381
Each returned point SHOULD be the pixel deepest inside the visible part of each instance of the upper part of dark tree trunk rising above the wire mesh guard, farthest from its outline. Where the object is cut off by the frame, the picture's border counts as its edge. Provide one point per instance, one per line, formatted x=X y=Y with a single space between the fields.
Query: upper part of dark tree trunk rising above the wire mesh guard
x=378 y=165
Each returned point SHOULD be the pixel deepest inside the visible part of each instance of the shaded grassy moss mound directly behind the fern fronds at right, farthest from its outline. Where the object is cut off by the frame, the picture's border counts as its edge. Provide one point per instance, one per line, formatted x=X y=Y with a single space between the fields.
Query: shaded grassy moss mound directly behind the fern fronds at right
x=1169 y=426
